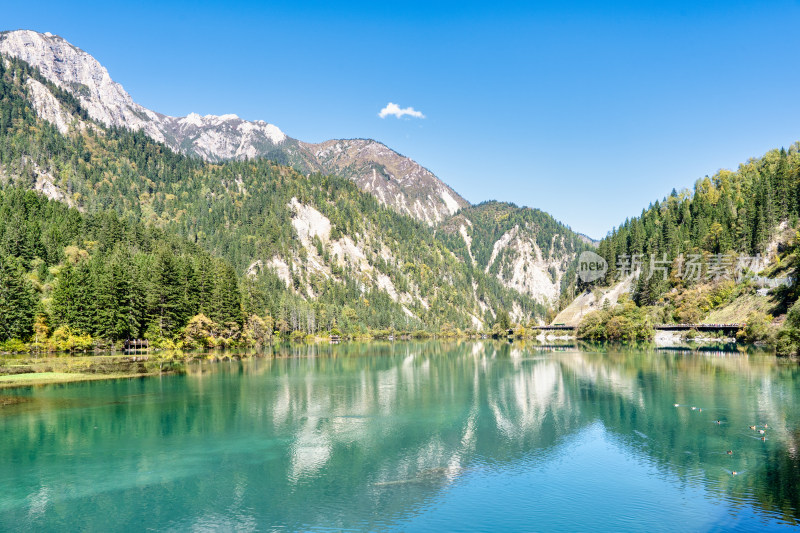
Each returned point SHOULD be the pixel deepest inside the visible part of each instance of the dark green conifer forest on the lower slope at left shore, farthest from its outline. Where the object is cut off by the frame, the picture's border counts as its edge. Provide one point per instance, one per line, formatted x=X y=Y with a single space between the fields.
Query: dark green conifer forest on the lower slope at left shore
x=64 y=272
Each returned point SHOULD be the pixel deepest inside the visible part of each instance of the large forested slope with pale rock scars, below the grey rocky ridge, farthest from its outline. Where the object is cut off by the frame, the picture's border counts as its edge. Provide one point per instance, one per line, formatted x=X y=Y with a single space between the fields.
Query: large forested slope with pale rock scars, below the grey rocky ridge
x=318 y=250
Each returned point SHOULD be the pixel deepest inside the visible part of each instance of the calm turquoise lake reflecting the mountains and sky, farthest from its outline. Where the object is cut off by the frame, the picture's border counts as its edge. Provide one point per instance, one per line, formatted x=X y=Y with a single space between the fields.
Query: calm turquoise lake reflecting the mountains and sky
x=415 y=437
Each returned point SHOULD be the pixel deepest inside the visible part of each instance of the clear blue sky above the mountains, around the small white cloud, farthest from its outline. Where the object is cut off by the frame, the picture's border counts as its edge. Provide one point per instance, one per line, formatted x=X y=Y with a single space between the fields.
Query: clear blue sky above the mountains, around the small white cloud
x=587 y=111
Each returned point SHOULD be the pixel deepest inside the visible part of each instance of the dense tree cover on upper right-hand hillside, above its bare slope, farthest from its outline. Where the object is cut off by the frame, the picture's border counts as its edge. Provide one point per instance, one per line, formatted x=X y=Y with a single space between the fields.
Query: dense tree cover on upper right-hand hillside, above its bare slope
x=737 y=213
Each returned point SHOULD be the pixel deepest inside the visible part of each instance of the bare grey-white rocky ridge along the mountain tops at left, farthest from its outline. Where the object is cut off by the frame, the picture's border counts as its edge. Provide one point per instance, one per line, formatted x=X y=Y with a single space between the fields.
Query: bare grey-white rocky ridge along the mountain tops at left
x=396 y=181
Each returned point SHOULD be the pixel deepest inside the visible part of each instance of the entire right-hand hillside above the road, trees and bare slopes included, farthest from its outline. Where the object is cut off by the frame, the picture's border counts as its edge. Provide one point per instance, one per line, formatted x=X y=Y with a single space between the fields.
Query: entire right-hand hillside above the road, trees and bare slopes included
x=728 y=251
